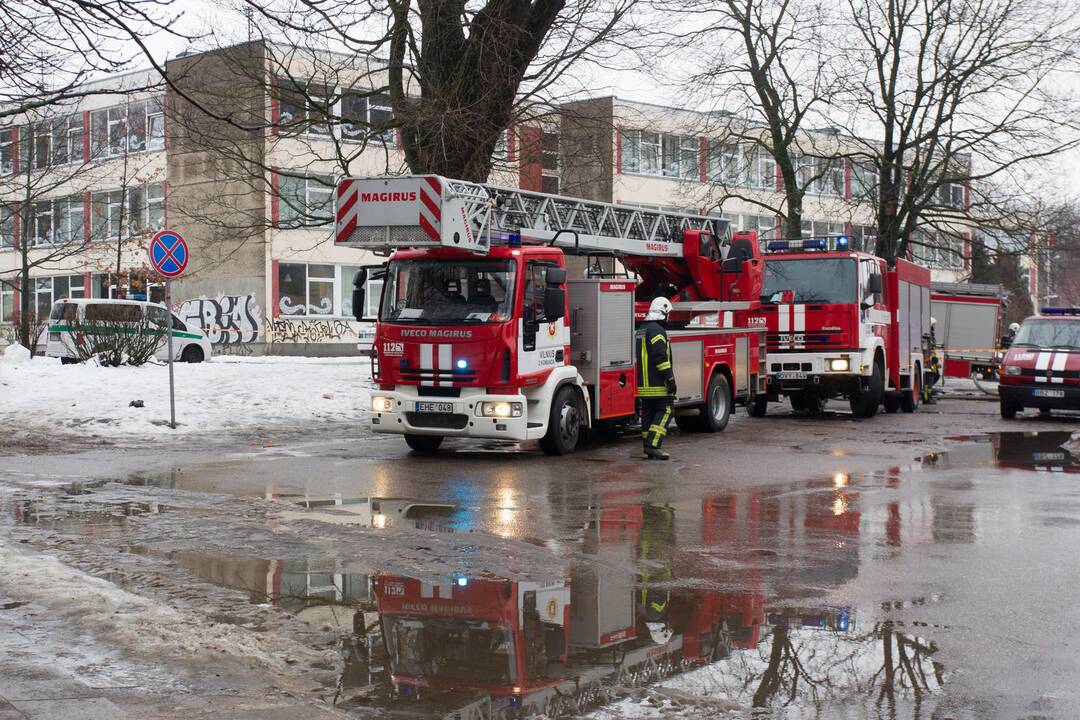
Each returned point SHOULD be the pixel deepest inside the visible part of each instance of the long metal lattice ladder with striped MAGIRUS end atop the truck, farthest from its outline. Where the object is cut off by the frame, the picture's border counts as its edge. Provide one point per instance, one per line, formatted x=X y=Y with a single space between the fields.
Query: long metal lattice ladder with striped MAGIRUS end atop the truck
x=384 y=214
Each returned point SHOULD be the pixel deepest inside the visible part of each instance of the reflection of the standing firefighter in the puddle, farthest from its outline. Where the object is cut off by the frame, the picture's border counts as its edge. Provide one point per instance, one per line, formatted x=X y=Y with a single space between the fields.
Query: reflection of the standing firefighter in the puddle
x=654 y=550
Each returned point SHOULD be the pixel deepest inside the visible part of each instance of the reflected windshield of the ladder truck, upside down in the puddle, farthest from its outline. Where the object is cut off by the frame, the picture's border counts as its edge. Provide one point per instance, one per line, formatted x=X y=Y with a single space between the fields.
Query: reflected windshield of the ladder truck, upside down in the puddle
x=451 y=649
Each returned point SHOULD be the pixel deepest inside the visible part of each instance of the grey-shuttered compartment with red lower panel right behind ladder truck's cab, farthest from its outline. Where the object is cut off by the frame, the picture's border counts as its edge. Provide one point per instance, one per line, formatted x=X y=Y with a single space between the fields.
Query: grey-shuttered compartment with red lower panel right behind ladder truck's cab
x=602 y=343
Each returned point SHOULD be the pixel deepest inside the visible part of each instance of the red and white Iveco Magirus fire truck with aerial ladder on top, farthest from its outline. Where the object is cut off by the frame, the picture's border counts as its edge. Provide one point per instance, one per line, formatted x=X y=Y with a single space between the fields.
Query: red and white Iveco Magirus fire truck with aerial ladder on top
x=483 y=334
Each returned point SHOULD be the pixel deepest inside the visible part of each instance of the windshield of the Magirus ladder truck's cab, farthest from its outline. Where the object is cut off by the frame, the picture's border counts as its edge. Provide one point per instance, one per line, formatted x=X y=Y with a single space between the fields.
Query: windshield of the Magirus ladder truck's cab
x=449 y=292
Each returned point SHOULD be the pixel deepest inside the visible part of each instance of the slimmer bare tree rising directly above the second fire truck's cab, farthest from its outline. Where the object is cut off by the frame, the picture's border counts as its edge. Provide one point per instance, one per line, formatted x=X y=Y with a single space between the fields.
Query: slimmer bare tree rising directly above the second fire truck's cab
x=772 y=78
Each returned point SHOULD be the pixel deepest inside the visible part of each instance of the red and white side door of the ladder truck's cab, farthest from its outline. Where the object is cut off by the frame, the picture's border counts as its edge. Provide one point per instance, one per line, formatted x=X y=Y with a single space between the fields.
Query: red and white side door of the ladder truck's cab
x=542 y=339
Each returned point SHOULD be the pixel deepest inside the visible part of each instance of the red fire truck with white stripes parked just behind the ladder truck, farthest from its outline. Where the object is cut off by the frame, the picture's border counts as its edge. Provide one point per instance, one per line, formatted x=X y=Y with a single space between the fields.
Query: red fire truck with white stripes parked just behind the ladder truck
x=842 y=324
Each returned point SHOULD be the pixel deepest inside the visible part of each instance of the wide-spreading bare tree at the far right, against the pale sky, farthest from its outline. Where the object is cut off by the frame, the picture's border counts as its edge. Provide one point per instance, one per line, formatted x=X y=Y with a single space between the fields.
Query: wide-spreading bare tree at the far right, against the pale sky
x=949 y=94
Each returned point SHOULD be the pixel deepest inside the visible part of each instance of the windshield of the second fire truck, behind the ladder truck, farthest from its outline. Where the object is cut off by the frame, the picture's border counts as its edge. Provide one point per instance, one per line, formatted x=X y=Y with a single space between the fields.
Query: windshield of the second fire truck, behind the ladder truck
x=822 y=281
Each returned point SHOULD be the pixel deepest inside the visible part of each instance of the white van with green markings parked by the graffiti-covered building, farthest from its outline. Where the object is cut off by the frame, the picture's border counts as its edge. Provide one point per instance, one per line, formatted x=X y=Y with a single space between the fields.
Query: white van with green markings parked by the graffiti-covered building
x=191 y=344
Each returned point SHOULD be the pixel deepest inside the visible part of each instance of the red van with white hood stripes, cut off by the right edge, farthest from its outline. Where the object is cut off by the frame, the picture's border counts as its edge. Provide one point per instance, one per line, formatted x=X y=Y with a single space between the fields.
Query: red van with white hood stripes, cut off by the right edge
x=1043 y=366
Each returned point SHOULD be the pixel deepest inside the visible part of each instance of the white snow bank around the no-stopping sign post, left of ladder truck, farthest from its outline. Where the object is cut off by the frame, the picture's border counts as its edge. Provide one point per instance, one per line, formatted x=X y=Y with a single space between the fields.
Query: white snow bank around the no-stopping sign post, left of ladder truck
x=227 y=393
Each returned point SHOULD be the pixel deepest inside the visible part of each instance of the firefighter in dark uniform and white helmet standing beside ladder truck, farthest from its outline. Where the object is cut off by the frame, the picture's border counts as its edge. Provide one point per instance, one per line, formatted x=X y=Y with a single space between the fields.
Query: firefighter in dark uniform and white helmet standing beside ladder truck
x=656 y=382
